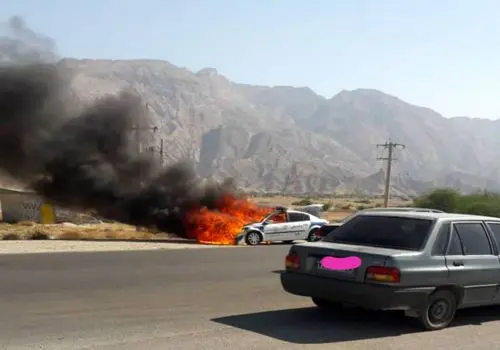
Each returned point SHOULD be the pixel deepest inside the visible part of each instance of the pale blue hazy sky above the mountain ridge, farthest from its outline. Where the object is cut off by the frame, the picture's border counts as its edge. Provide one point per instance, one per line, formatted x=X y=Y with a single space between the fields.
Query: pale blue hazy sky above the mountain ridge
x=442 y=54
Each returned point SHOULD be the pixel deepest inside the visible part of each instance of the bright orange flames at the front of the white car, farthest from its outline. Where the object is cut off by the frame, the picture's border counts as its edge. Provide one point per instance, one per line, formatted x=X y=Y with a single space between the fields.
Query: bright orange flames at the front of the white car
x=221 y=226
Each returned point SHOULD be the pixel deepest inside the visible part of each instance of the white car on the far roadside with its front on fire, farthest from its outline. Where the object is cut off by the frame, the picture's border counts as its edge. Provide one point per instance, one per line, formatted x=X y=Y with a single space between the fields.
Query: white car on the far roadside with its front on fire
x=282 y=224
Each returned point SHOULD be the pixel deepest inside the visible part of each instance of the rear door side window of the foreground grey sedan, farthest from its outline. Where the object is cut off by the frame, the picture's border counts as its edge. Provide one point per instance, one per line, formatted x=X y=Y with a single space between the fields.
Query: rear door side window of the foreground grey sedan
x=474 y=238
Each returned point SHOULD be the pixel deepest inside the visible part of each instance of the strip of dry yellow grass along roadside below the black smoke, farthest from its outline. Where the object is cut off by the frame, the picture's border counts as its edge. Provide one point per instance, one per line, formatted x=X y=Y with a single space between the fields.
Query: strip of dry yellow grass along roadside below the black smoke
x=29 y=230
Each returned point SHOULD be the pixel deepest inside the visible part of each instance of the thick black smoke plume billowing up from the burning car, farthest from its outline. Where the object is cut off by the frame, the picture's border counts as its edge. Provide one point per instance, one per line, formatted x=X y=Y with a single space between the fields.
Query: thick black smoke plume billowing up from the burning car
x=86 y=161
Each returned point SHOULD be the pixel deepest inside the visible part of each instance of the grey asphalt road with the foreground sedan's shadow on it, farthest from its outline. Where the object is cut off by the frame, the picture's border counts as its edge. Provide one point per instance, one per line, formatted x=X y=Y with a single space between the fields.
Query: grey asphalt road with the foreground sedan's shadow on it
x=194 y=299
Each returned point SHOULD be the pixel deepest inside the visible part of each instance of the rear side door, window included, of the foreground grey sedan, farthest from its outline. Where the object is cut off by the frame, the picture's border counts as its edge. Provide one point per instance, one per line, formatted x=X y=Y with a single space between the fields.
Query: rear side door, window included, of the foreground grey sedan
x=471 y=262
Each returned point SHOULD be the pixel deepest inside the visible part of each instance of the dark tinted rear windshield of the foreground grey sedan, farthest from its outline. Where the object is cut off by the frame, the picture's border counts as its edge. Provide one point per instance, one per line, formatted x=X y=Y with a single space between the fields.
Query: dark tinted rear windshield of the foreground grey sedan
x=383 y=231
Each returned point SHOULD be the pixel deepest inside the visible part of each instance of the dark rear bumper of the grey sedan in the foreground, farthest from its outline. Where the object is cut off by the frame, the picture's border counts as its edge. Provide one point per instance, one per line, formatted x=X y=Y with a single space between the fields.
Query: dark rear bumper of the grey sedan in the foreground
x=369 y=296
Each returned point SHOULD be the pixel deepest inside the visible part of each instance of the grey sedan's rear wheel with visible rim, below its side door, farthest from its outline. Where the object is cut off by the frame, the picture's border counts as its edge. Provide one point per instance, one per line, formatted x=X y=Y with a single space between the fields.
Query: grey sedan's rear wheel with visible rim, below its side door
x=439 y=310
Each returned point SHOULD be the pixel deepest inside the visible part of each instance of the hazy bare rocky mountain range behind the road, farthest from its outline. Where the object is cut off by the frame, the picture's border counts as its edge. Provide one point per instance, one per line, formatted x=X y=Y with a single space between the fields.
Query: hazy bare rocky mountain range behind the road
x=286 y=139
